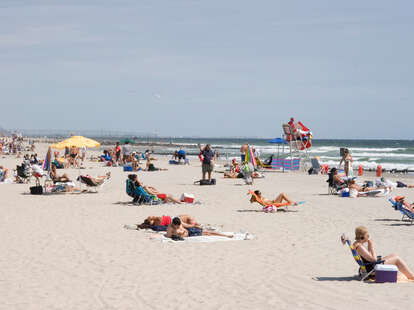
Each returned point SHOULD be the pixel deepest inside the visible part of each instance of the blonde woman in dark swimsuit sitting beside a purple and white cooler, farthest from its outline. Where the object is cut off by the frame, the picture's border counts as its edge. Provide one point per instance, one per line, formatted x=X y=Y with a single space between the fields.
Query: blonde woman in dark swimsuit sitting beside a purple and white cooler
x=370 y=258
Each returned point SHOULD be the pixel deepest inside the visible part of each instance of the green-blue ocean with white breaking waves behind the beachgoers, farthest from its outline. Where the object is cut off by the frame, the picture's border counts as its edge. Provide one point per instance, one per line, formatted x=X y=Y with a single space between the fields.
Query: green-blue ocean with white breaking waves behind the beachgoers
x=390 y=154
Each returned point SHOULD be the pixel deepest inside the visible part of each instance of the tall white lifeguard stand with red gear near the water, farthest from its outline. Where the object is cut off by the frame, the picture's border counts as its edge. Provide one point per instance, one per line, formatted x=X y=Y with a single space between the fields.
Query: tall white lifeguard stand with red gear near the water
x=298 y=147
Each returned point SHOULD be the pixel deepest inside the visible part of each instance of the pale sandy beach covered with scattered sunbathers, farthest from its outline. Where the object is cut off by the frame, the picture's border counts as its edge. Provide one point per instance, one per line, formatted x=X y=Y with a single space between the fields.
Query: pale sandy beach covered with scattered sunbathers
x=71 y=251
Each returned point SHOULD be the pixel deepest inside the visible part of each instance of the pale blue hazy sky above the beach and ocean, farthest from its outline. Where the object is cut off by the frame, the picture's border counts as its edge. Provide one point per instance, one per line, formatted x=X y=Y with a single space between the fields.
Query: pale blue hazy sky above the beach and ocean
x=209 y=68
